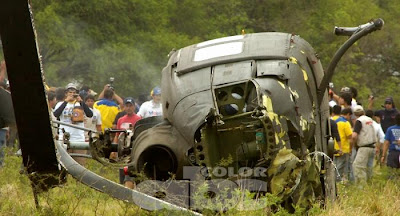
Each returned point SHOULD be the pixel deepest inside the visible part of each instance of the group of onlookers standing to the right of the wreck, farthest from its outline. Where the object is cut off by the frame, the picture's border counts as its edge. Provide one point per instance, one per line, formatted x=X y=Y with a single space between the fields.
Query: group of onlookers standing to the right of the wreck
x=363 y=135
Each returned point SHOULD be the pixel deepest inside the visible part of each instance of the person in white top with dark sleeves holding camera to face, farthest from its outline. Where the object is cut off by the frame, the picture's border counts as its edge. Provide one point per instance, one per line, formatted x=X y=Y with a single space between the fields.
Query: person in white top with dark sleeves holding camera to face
x=73 y=111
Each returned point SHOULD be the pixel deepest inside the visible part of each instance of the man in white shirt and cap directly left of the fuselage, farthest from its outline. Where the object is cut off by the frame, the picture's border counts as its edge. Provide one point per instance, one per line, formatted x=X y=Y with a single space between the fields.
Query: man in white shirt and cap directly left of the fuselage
x=152 y=107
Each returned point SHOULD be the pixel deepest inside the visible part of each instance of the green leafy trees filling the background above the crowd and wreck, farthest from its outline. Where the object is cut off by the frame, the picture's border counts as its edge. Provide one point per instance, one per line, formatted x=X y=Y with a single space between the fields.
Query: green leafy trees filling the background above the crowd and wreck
x=90 y=41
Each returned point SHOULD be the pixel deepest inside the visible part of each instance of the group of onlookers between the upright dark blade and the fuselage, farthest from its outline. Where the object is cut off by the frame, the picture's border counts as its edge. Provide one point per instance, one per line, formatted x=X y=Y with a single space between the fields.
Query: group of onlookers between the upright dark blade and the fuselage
x=80 y=107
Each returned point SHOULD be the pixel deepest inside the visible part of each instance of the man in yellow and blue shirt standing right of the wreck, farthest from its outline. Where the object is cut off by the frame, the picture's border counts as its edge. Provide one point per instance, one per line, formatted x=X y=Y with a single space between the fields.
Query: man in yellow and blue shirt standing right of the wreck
x=342 y=159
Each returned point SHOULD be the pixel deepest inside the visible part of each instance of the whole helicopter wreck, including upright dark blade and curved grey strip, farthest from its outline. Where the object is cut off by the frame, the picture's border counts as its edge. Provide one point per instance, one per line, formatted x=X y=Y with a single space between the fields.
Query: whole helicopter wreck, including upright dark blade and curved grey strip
x=254 y=101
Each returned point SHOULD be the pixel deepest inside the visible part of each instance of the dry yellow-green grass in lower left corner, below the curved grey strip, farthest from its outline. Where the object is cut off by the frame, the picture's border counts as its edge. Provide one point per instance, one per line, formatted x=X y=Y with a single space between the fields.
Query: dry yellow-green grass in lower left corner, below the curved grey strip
x=72 y=198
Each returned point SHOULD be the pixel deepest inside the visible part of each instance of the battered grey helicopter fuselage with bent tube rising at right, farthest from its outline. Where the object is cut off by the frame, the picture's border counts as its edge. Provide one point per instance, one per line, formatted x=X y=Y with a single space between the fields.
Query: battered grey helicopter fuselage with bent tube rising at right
x=255 y=100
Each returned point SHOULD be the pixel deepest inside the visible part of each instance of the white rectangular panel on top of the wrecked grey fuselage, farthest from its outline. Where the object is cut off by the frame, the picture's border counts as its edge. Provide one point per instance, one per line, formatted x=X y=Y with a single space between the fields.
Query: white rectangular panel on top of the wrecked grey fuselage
x=219 y=50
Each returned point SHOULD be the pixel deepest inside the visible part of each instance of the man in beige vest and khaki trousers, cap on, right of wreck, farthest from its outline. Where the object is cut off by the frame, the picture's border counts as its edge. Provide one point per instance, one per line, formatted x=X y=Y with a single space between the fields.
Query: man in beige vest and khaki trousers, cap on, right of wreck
x=364 y=138
